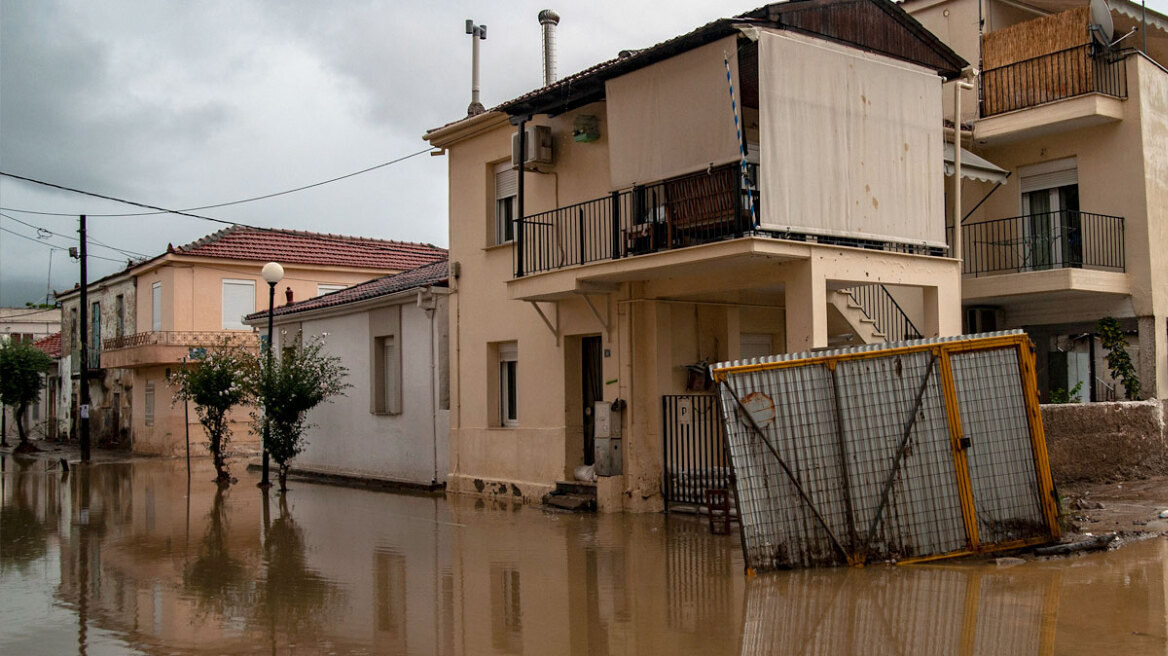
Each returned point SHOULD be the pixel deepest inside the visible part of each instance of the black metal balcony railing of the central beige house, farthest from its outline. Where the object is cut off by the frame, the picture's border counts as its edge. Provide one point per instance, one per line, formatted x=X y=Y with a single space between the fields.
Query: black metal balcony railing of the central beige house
x=683 y=212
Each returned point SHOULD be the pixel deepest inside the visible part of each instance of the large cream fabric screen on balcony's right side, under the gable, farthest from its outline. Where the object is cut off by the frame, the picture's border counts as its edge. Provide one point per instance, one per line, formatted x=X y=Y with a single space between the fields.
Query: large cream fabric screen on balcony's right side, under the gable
x=851 y=143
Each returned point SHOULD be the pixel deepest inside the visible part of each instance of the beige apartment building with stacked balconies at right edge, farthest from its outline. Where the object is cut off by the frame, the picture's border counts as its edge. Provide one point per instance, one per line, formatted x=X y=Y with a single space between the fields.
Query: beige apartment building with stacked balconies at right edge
x=1080 y=117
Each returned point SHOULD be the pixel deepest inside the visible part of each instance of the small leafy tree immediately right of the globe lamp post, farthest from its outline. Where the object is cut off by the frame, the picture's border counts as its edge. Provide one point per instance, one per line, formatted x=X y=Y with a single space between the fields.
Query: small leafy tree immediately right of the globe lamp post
x=286 y=390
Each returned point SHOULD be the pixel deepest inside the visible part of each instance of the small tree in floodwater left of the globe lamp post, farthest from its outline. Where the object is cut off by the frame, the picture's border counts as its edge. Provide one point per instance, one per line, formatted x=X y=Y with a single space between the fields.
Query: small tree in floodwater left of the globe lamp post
x=214 y=382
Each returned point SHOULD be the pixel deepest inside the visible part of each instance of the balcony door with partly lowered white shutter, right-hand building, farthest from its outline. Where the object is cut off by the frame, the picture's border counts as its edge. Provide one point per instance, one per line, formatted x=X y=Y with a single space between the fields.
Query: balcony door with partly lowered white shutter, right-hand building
x=1053 y=231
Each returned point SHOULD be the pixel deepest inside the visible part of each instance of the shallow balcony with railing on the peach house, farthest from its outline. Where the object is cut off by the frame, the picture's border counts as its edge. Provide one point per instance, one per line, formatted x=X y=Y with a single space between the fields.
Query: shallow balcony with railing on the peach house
x=164 y=347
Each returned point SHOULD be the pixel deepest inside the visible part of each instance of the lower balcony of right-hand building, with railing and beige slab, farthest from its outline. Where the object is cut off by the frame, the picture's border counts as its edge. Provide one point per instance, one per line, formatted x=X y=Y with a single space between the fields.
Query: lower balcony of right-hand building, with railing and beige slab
x=1060 y=252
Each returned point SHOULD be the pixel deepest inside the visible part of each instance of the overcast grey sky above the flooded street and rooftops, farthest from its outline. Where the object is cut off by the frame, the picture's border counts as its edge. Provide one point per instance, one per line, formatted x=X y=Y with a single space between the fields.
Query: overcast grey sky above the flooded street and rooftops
x=189 y=104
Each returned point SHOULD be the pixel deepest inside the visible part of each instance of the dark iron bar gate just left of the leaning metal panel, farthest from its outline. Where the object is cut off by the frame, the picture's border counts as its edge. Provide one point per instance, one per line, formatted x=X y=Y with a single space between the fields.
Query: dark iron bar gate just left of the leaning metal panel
x=696 y=458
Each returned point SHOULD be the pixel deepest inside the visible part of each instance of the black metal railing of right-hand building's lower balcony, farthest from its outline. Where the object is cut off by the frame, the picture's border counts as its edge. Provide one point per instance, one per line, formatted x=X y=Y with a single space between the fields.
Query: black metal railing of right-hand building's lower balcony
x=1058 y=240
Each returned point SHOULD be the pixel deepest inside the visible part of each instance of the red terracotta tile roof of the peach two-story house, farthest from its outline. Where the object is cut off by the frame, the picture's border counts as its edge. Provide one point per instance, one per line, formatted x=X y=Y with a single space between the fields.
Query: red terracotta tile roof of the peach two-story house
x=296 y=247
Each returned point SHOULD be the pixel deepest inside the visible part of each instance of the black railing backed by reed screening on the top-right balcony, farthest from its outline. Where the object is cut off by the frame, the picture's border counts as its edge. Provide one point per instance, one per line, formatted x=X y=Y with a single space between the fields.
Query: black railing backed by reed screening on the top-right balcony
x=1052 y=78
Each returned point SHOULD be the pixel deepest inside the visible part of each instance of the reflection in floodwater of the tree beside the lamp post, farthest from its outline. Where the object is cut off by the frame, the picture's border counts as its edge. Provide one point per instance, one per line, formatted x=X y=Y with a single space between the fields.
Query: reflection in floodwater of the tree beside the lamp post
x=293 y=599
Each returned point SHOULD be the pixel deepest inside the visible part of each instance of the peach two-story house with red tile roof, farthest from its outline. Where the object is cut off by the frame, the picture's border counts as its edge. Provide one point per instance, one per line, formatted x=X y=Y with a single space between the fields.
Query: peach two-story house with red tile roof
x=148 y=319
